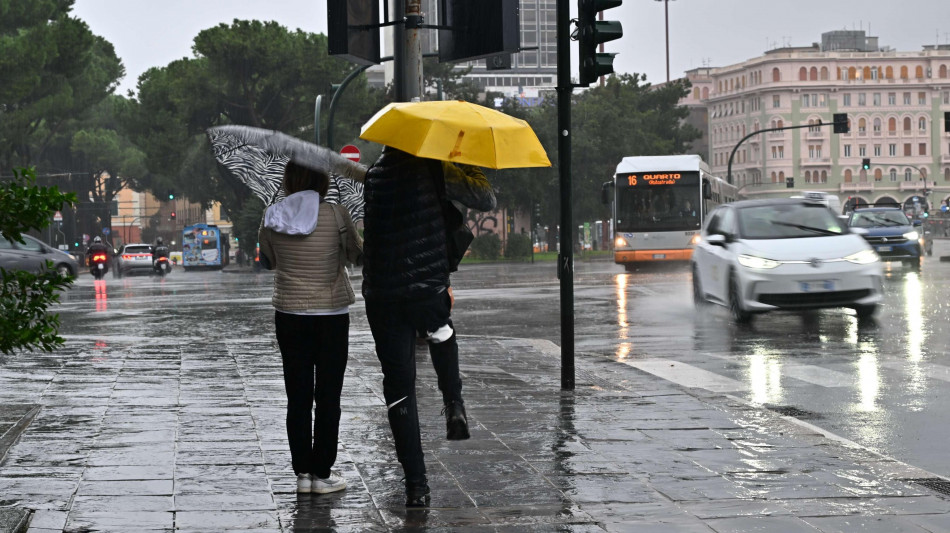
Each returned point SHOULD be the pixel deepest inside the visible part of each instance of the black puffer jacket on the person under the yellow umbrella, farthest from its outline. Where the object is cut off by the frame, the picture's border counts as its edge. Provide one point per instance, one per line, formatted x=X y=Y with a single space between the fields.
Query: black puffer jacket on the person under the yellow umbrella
x=404 y=249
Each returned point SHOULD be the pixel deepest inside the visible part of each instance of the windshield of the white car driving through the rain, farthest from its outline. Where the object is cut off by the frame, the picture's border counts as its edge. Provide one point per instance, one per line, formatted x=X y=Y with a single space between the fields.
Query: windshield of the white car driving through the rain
x=787 y=221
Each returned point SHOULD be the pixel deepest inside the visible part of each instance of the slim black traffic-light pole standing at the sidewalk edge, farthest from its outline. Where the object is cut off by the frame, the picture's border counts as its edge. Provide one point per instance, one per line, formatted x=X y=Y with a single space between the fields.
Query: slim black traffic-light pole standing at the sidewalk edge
x=565 y=261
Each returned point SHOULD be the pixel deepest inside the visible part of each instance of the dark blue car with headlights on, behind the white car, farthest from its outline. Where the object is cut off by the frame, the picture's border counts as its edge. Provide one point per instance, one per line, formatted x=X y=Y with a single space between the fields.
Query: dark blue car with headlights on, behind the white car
x=892 y=235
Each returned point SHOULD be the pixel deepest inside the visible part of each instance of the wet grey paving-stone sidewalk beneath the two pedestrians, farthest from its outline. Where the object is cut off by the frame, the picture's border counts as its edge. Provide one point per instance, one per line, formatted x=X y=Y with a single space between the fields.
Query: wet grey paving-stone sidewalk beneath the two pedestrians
x=192 y=438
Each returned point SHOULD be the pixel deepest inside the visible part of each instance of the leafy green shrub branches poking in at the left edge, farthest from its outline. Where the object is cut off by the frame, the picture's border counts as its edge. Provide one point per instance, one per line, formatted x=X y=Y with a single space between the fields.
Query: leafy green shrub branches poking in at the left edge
x=24 y=296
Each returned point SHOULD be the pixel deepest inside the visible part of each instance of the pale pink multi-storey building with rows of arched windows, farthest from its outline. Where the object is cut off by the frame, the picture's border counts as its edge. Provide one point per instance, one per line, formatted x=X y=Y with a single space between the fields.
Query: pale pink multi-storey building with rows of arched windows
x=896 y=103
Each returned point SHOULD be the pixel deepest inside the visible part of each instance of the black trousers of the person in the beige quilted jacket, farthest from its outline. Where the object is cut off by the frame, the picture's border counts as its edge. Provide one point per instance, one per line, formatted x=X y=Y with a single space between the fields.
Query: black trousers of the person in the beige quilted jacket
x=314 y=353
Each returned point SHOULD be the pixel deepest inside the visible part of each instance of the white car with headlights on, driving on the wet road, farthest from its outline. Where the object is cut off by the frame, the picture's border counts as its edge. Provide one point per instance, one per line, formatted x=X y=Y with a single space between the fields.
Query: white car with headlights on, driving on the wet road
x=756 y=256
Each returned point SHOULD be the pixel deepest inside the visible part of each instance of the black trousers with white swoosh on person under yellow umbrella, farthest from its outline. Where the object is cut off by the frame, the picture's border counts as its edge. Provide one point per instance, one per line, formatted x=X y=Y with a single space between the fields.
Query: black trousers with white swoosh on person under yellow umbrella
x=395 y=326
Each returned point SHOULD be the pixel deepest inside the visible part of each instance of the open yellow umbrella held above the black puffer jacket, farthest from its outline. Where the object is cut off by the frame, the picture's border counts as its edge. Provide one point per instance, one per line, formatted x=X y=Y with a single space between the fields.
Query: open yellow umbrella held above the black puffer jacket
x=457 y=131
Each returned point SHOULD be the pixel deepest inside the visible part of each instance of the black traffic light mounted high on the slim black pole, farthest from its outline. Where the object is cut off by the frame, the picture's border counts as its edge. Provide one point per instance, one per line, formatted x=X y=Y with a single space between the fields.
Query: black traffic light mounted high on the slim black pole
x=590 y=34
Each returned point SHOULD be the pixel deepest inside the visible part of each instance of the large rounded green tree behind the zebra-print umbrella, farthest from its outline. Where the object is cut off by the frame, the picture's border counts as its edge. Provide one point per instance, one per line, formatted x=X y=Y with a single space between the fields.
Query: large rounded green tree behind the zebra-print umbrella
x=250 y=72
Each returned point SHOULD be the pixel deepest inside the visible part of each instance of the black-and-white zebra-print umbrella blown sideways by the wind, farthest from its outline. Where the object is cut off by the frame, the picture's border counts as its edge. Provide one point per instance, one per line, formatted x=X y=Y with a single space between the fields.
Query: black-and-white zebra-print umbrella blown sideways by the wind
x=258 y=157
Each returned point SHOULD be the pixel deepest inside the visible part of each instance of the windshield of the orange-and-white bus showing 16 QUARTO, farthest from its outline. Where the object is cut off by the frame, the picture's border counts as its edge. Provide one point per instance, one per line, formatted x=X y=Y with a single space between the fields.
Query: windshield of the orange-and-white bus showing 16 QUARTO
x=646 y=203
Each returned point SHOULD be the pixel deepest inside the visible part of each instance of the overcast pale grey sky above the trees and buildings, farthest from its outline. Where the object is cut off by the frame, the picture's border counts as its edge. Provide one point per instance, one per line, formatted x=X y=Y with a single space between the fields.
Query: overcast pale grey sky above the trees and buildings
x=150 y=33
